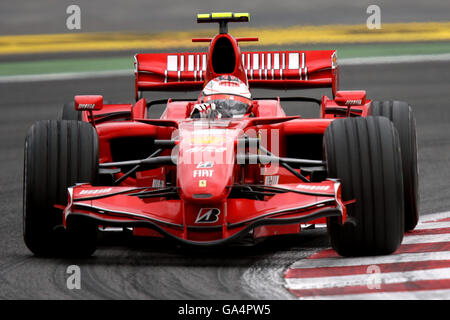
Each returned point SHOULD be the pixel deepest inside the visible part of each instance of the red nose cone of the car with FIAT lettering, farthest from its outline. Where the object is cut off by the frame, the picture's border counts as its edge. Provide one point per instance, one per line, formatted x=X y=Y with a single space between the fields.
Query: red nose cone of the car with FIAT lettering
x=205 y=164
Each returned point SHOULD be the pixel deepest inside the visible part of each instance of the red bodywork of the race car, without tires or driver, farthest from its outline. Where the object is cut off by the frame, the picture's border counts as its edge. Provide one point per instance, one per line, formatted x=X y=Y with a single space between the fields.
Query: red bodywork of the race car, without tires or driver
x=208 y=194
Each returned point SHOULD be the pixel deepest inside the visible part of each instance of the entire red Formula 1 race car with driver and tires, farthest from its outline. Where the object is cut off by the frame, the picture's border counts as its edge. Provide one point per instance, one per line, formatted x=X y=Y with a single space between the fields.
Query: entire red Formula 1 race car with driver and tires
x=227 y=165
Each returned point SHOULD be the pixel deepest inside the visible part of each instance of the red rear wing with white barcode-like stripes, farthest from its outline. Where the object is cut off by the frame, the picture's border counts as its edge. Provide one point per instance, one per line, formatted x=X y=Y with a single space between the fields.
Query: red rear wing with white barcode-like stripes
x=264 y=69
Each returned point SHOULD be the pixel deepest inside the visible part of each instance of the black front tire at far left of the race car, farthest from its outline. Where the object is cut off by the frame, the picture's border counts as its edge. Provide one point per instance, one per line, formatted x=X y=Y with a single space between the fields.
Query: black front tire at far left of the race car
x=58 y=154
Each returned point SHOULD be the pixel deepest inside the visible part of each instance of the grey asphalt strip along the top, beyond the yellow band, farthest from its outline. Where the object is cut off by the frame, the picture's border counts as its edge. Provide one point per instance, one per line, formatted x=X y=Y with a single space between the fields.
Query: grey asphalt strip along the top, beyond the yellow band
x=48 y=16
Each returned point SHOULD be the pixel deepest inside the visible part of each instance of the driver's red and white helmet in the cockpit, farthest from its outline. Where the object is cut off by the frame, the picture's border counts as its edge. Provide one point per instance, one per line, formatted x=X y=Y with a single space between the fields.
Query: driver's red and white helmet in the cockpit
x=230 y=95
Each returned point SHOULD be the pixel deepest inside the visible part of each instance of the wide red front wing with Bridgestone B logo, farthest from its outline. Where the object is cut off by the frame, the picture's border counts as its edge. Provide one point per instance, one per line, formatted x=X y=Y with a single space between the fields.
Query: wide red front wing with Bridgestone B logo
x=263 y=210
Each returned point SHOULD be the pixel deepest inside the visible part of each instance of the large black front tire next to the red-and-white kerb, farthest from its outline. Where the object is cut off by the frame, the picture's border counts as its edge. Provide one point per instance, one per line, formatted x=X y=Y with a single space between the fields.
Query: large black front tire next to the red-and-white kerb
x=364 y=153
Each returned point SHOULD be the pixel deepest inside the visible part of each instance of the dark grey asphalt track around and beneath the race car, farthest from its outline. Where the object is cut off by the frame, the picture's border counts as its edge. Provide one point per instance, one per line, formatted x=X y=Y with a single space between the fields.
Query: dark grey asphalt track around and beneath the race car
x=123 y=268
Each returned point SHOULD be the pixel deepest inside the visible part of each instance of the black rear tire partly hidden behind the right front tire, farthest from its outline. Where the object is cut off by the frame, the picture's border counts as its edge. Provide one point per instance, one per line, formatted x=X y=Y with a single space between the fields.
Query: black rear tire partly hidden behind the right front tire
x=401 y=115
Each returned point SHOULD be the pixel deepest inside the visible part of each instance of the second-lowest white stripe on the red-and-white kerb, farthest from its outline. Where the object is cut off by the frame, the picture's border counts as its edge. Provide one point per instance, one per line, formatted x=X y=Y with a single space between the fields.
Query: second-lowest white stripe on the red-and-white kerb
x=364 y=279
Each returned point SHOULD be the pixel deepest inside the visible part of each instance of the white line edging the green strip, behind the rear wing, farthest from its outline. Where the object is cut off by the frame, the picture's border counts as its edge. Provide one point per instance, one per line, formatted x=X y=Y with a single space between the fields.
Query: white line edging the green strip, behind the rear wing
x=129 y=72
